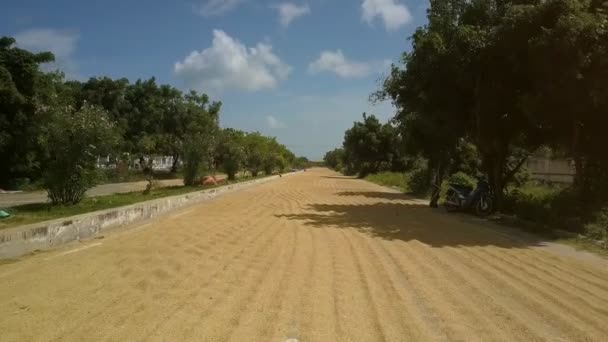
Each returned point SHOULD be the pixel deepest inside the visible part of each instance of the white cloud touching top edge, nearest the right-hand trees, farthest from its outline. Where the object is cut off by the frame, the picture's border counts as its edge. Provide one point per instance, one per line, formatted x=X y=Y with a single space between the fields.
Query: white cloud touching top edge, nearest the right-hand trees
x=392 y=13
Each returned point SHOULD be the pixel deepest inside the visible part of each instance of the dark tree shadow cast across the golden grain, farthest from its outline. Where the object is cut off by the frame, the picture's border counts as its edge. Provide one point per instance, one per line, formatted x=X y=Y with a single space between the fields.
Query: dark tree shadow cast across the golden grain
x=409 y=221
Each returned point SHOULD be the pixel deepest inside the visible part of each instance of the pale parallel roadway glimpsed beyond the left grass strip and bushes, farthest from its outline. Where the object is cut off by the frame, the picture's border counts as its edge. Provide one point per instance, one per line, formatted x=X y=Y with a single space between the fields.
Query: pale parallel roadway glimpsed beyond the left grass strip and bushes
x=14 y=199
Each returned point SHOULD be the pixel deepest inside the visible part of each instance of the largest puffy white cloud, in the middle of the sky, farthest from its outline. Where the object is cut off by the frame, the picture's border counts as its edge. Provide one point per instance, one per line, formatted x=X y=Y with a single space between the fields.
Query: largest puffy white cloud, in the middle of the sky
x=229 y=64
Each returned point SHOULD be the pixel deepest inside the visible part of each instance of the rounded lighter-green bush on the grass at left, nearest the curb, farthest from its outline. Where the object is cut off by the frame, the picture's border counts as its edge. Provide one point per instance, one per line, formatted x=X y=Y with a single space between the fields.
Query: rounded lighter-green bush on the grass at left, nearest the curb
x=75 y=139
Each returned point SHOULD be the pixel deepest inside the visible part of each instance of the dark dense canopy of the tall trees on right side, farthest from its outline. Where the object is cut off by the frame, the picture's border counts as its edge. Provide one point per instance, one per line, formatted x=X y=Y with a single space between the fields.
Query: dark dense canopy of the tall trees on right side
x=478 y=72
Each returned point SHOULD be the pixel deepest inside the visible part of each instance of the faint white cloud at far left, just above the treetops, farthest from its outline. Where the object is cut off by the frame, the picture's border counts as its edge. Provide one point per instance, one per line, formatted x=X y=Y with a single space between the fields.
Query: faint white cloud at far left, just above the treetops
x=61 y=43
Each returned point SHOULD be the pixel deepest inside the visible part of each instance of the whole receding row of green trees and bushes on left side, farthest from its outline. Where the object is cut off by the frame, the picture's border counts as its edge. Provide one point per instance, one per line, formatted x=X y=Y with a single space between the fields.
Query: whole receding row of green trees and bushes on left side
x=49 y=132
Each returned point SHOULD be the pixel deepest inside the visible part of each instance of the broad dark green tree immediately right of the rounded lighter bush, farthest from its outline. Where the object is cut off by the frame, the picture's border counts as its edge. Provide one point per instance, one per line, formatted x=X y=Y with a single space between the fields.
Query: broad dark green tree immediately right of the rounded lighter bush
x=154 y=119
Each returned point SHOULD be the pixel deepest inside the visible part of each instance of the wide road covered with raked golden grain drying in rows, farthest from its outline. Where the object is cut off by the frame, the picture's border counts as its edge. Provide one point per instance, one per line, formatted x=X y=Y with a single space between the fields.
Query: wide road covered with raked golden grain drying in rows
x=311 y=257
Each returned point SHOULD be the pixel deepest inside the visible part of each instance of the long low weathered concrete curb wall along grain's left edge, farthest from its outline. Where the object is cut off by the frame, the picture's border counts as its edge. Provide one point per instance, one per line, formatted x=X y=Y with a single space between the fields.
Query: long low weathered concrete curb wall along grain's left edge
x=21 y=240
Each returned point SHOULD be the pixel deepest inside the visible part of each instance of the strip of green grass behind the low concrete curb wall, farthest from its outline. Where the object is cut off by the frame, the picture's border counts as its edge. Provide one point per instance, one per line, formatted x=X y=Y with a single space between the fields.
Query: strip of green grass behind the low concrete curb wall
x=38 y=212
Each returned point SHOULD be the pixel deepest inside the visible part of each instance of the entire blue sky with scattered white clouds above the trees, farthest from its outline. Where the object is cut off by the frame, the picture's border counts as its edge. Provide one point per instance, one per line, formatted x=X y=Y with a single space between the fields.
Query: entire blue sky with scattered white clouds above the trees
x=298 y=70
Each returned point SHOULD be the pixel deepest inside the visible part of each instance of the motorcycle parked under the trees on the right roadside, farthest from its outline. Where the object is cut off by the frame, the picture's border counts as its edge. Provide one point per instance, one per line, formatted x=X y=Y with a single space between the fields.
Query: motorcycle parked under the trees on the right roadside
x=462 y=197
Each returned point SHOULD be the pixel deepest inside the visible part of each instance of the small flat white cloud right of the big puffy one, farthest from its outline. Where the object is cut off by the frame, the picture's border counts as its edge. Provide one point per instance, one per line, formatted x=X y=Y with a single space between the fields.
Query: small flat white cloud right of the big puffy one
x=337 y=63
